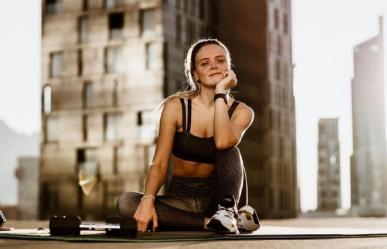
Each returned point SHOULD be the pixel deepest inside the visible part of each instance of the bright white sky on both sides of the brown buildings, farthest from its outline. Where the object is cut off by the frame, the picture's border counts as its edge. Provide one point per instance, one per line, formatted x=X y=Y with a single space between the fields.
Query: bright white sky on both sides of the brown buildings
x=324 y=34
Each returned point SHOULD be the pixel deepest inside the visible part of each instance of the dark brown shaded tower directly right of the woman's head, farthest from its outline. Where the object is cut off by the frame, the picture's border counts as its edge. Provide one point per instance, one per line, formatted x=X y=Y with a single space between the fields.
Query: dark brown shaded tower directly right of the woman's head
x=259 y=36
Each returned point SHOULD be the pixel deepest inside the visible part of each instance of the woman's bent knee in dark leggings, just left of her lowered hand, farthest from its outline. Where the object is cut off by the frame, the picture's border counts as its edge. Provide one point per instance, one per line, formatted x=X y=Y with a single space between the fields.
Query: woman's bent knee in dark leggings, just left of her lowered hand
x=127 y=203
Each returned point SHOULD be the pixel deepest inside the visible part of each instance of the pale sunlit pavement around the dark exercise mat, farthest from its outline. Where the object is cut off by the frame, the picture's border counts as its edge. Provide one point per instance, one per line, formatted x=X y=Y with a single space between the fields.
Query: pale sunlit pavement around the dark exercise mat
x=369 y=243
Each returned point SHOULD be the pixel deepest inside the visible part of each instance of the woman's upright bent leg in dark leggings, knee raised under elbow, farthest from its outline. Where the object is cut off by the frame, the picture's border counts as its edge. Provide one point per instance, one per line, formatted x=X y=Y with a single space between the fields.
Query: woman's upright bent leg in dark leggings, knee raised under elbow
x=229 y=179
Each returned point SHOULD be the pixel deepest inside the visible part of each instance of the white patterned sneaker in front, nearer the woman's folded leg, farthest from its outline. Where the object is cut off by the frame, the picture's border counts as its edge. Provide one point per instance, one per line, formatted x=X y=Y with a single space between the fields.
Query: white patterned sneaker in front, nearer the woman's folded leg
x=225 y=219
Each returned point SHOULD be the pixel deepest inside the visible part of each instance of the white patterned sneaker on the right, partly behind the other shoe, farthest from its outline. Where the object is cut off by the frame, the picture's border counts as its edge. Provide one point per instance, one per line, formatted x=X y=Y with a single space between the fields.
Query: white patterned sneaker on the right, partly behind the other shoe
x=248 y=219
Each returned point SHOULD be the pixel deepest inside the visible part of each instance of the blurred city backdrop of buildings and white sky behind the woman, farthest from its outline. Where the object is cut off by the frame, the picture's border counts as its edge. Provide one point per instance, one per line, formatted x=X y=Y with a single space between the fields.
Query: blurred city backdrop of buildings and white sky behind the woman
x=103 y=66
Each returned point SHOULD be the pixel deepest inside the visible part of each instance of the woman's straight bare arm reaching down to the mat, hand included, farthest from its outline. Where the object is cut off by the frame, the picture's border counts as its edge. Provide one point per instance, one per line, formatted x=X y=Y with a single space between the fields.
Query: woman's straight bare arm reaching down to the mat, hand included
x=157 y=174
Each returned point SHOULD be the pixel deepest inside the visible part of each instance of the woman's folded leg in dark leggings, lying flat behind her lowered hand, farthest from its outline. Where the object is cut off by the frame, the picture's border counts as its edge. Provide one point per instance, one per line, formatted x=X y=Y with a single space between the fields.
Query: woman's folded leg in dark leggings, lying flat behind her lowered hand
x=169 y=217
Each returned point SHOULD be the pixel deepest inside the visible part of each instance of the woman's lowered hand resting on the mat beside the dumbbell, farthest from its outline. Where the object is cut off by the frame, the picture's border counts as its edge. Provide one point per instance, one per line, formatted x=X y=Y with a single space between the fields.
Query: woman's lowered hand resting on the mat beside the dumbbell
x=145 y=213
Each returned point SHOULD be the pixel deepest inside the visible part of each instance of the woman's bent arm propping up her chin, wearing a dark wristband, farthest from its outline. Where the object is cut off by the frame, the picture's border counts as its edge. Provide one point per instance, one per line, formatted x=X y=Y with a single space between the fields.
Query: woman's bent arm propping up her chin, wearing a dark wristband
x=228 y=133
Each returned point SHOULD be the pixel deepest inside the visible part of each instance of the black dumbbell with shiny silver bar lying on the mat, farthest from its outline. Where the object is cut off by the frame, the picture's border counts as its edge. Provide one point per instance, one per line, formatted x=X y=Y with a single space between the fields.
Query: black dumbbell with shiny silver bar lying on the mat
x=73 y=225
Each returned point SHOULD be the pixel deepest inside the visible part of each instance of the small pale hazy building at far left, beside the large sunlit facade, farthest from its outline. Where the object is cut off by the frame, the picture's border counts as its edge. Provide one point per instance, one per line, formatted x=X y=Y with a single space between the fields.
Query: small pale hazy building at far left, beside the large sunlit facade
x=27 y=174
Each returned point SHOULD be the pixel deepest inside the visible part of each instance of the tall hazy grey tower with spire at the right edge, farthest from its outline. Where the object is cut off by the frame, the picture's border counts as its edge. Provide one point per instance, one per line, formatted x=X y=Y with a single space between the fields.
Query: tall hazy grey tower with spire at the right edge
x=368 y=164
